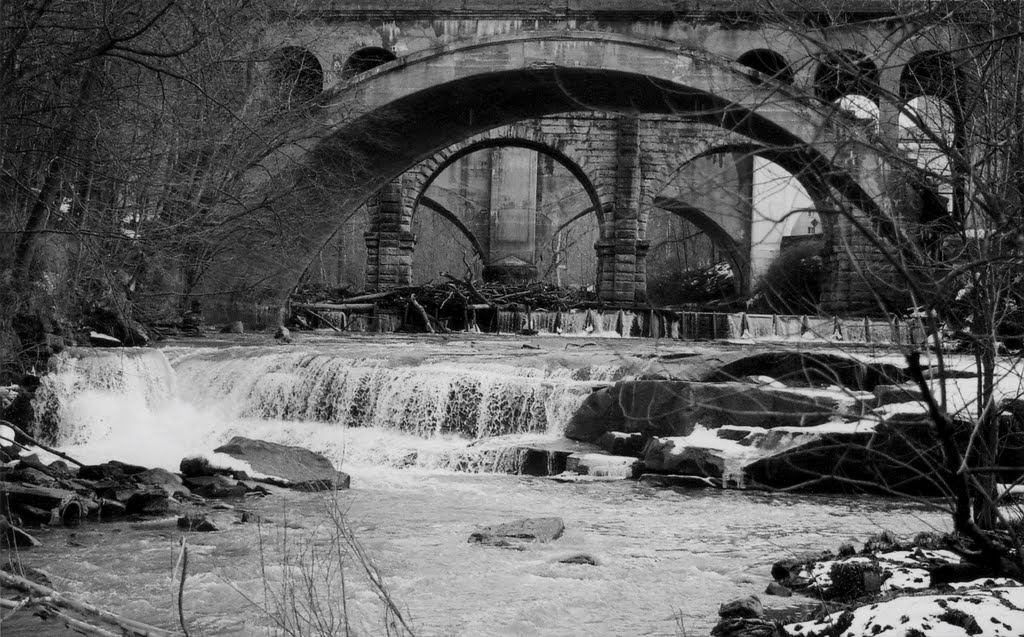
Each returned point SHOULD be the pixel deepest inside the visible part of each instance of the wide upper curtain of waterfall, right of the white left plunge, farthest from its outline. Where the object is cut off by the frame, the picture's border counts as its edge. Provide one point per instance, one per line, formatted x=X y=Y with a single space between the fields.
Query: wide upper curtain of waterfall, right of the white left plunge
x=472 y=400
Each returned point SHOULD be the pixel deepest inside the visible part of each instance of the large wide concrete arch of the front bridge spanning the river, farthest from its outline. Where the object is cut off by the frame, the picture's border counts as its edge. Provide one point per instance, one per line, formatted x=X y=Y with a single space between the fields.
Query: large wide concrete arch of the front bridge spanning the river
x=372 y=129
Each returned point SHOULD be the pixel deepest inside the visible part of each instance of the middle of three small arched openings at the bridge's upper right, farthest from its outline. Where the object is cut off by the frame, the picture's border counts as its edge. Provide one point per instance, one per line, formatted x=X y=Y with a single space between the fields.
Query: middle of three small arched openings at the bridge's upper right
x=850 y=81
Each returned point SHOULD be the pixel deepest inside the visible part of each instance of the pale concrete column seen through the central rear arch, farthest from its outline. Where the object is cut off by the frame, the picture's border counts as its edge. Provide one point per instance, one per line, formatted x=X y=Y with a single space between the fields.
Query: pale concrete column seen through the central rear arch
x=513 y=236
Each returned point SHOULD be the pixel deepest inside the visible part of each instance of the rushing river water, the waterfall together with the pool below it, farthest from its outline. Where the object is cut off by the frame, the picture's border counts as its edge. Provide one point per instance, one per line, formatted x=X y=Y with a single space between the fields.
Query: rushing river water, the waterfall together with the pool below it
x=401 y=418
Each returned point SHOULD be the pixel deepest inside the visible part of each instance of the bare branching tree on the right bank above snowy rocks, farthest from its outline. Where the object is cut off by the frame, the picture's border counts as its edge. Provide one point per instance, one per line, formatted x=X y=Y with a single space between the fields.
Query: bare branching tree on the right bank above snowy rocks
x=951 y=129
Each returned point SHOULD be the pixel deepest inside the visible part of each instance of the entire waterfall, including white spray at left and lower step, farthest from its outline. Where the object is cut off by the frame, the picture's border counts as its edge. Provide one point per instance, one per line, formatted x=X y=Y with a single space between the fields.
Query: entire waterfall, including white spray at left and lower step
x=391 y=409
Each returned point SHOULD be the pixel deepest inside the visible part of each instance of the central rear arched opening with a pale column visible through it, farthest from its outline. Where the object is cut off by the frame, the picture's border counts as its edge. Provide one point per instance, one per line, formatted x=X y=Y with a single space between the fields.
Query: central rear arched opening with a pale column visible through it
x=520 y=206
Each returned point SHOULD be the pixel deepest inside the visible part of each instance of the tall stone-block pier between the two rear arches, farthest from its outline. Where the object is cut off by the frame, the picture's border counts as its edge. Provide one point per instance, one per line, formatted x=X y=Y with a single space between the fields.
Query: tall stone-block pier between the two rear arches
x=621 y=277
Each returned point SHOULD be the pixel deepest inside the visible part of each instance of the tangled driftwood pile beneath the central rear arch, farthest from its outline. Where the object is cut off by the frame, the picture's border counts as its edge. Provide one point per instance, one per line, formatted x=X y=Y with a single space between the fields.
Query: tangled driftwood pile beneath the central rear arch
x=453 y=305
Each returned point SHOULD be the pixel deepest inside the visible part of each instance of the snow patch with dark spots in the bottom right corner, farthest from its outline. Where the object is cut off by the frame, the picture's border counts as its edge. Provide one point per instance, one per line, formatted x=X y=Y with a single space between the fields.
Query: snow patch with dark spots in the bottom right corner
x=979 y=613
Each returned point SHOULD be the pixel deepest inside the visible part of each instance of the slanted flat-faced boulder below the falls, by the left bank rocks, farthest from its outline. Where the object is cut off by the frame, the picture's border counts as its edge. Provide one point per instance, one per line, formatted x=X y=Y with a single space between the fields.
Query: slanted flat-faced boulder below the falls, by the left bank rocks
x=298 y=468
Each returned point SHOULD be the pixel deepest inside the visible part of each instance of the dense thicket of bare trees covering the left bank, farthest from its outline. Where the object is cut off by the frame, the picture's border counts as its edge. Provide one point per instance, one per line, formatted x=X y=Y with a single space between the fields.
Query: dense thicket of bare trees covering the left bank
x=127 y=131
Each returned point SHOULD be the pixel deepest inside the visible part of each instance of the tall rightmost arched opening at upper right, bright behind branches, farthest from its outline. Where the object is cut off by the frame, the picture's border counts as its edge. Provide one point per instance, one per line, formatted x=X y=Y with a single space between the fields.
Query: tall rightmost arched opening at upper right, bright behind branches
x=930 y=130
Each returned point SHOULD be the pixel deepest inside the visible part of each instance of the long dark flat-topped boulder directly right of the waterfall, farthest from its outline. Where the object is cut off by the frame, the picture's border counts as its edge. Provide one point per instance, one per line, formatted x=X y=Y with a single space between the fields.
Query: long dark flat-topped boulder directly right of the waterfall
x=675 y=408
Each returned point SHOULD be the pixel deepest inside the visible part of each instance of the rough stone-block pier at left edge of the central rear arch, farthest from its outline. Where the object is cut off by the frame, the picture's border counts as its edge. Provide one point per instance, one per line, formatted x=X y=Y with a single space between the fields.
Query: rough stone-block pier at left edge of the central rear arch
x=390 y=241
